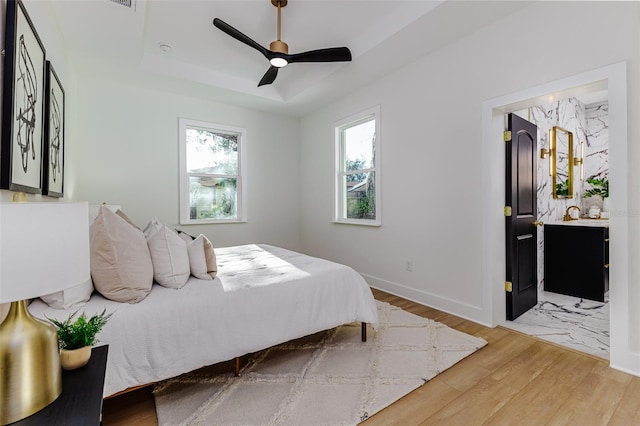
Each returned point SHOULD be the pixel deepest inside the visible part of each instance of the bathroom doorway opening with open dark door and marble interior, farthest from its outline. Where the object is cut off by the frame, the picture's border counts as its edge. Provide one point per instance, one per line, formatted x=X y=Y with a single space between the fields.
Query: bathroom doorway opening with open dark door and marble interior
x=576 y=313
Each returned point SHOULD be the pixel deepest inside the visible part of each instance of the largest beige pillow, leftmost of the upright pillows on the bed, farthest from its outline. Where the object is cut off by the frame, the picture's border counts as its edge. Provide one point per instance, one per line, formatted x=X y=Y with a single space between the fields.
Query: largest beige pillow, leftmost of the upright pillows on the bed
x=121 y=265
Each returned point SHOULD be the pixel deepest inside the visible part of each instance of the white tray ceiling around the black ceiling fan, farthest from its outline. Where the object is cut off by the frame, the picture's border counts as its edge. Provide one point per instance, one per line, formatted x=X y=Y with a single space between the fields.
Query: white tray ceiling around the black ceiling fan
x=112 y=41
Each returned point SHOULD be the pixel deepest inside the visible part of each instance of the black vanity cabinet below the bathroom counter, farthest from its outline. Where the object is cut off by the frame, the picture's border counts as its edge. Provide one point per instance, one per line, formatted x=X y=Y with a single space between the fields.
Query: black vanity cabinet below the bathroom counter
x=576 y=260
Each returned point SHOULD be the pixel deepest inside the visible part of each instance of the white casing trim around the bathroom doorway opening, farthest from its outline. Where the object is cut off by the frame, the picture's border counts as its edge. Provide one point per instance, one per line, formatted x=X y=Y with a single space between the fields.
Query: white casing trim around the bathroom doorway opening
x=621 y=352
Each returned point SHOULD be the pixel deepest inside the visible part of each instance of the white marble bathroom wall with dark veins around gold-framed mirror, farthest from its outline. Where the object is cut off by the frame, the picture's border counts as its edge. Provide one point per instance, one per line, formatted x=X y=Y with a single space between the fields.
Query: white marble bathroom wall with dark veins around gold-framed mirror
x=589 y=124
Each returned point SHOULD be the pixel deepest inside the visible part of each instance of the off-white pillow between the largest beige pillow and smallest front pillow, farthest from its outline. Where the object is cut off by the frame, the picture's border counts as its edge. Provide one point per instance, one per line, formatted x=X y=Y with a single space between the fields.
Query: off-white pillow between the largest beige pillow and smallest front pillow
x=168 y=254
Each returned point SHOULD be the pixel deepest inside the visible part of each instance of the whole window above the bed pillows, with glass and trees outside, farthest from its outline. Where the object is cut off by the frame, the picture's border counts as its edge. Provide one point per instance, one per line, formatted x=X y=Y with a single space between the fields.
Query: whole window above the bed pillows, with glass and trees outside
x=212 y=173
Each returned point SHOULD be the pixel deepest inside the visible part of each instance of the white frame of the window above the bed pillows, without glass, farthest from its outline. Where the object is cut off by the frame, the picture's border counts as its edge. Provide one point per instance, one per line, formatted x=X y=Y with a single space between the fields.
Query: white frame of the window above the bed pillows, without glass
x=241 y=182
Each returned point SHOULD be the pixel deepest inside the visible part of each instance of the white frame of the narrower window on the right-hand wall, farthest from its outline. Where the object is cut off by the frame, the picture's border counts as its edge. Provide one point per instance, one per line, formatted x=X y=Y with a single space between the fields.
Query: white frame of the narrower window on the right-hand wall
x=340 y=214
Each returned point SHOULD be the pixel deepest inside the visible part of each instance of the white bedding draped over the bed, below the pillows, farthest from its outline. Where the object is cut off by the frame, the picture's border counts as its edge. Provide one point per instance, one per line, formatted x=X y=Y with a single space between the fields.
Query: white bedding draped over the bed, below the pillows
x=263 y=295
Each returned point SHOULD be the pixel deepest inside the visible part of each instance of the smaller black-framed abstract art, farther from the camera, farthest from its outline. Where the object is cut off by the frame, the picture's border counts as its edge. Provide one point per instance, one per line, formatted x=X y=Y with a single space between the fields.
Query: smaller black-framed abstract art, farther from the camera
x=54 y=112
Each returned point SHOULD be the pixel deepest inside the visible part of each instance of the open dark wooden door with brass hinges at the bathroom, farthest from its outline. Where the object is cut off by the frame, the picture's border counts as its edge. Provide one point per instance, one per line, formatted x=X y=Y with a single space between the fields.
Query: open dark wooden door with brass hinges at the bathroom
x=521 y=231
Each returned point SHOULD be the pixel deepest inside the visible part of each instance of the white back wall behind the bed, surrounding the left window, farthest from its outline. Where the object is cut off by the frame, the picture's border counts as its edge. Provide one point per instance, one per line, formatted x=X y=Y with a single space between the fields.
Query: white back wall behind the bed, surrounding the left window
x=128 y=155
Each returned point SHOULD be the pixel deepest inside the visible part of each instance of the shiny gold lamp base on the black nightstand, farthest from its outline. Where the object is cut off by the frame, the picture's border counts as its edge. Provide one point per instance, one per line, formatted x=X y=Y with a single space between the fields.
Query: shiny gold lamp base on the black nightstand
x=30 y=374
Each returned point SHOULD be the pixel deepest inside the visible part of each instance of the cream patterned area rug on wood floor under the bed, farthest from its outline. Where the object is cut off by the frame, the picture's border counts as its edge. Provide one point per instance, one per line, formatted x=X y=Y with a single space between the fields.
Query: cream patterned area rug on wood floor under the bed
x=330 y=378
